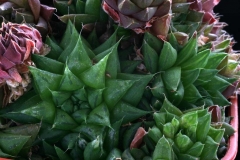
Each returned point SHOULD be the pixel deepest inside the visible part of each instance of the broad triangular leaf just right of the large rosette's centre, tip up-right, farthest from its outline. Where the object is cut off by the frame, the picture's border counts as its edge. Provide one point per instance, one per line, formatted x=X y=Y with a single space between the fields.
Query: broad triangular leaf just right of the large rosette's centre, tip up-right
x=115 y=90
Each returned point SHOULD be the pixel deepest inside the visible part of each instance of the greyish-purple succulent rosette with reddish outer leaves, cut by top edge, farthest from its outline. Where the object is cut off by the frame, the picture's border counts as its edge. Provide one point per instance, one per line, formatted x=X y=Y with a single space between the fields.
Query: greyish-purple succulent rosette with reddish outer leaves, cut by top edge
x=142 y=16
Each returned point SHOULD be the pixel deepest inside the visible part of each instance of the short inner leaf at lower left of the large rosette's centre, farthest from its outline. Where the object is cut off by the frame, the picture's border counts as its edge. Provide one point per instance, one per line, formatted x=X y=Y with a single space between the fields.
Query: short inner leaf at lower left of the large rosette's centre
x=63 y=121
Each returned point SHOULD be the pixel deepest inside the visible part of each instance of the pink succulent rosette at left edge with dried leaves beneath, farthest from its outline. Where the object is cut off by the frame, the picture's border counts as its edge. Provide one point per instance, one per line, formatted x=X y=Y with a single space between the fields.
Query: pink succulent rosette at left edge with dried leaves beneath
x=18 y=41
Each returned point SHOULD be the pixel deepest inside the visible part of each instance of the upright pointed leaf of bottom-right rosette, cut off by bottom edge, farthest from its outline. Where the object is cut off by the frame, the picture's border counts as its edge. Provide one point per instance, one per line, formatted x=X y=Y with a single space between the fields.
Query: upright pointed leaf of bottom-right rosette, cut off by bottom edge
x=163 y=150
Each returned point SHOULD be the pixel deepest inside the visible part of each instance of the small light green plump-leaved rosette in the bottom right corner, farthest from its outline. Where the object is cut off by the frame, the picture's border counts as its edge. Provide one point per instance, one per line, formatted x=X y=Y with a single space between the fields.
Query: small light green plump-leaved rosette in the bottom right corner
x=178 y=135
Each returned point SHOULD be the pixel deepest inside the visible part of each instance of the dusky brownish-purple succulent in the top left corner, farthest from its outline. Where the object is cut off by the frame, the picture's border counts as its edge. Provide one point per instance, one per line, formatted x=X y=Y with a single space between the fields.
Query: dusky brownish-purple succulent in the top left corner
x=31 y=12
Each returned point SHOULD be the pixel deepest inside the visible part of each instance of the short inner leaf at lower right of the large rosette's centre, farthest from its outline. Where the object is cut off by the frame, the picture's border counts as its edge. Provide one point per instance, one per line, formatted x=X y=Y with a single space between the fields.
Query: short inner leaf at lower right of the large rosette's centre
x=99 y=116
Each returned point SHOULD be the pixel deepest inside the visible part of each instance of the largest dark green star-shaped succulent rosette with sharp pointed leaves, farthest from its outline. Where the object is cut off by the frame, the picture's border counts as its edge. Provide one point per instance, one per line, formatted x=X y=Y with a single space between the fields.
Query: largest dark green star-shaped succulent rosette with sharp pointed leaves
x=80 y=100
